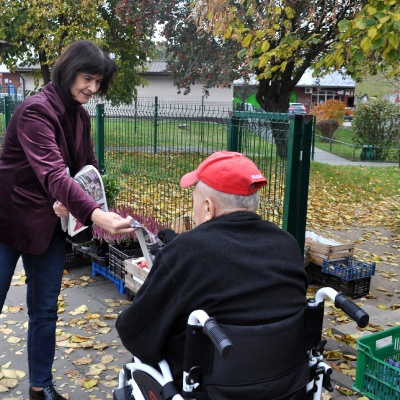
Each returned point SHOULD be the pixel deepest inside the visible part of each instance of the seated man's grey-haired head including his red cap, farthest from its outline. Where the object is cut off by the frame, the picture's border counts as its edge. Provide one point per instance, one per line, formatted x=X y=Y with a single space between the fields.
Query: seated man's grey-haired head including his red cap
x=223 y=183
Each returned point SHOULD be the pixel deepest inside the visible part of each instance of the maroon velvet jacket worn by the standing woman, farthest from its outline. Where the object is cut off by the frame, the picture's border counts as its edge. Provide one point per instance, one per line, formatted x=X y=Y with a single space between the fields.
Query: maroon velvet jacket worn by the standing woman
x=38 y=146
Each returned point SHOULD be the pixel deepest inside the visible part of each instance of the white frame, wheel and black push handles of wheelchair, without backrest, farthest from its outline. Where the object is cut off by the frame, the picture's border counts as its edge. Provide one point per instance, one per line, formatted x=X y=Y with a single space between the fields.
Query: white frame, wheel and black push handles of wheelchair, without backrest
x=319 y=376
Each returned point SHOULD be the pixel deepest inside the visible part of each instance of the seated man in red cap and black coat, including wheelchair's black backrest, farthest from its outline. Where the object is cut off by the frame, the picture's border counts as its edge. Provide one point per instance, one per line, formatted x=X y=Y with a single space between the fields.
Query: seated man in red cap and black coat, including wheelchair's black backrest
x=245 y=272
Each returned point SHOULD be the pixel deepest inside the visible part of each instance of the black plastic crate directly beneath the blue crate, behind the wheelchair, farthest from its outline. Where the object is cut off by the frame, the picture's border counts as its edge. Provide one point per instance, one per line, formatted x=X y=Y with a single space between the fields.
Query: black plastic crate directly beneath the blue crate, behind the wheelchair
x=355 y=289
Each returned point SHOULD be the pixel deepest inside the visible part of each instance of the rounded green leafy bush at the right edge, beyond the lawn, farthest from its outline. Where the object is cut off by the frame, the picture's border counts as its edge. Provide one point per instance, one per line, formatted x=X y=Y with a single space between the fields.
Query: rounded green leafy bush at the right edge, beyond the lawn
x=377 y=123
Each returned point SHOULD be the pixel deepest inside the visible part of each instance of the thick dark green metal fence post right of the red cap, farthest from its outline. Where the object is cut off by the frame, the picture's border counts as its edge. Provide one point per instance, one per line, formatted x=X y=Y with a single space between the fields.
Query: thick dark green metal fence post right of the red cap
x=297 y=177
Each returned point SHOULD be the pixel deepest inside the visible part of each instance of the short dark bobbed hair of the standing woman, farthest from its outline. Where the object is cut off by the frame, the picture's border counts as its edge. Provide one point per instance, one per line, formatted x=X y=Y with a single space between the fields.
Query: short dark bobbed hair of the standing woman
x=83 y=56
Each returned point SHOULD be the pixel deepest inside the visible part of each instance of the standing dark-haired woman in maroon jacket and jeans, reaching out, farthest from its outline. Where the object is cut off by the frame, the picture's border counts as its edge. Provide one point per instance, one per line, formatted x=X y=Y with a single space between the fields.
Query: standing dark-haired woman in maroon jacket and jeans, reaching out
x=48 y=134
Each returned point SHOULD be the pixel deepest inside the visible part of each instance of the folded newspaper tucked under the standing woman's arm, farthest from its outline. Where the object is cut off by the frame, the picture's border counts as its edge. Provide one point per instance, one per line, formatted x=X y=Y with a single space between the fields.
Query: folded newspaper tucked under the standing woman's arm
x=90 y=180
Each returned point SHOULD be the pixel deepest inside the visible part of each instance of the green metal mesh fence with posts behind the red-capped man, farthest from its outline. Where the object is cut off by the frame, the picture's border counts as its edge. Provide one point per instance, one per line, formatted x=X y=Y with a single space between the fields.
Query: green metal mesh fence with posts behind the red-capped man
x=149 y=145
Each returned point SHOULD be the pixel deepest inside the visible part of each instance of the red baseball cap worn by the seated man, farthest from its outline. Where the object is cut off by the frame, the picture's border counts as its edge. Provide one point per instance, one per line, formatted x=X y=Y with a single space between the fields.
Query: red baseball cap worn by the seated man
x=228 y=172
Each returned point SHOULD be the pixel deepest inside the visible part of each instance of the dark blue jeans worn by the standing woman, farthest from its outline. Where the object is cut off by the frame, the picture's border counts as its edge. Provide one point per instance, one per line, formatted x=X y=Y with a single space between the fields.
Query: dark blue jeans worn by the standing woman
x=43 y=279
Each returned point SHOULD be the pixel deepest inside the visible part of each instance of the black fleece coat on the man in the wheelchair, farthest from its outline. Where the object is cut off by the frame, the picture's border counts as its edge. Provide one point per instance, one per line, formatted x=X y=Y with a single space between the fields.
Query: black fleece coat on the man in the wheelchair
x=238 y=268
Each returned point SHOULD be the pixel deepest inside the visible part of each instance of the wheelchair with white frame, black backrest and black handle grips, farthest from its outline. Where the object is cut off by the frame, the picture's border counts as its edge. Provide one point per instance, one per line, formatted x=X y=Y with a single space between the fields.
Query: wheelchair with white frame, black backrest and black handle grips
x=278 y=361
